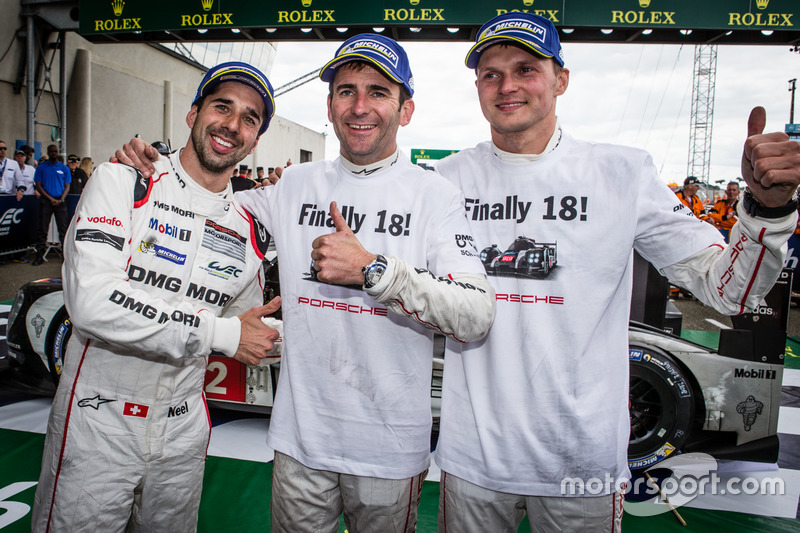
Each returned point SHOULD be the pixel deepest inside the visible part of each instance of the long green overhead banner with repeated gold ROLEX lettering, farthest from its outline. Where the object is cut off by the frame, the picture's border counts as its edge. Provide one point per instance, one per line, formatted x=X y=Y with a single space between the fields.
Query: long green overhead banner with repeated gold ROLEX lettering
x=98 y=17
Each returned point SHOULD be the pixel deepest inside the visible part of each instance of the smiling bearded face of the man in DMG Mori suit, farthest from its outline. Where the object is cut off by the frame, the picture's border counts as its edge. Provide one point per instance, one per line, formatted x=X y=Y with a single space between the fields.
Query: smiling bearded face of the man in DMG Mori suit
x=224 y=129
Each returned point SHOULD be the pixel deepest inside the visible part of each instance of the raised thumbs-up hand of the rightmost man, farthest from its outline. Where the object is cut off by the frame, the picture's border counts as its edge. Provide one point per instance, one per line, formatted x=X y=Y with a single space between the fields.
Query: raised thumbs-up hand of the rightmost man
x=770 y=162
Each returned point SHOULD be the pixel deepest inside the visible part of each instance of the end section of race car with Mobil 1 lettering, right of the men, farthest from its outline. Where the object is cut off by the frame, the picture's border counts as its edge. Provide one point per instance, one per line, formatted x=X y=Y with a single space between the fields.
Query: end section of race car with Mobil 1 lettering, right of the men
x=686 y=397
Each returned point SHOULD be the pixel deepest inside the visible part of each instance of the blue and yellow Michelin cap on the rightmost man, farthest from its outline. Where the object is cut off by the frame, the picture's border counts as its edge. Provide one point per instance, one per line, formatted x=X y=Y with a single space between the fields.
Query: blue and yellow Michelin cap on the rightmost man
x=532 y=31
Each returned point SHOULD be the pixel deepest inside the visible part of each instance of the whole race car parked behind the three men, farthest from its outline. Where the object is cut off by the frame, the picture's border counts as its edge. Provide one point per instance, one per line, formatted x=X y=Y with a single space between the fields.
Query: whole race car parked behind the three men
x=683 y=396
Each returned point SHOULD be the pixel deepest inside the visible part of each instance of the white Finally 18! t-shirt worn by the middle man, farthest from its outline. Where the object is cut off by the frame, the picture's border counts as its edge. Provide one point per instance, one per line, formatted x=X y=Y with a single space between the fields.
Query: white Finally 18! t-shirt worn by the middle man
x=354 y=391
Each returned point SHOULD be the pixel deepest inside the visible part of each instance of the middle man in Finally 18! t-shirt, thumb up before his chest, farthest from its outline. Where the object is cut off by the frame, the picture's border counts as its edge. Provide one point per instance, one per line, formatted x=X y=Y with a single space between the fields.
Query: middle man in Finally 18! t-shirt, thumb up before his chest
x=375 y=256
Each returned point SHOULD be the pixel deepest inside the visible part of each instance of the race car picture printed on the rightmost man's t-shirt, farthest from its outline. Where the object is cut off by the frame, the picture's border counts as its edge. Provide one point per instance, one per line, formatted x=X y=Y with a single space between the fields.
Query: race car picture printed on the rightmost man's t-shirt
x=525 y=257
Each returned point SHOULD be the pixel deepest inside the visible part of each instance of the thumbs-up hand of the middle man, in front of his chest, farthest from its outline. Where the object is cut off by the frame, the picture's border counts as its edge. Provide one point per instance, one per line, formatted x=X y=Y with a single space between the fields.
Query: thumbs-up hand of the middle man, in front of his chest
x=338 y=257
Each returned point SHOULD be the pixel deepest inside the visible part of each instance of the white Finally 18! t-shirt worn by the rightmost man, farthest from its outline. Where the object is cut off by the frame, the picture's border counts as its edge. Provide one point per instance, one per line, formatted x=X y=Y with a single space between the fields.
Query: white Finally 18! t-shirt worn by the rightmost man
x=545 y=395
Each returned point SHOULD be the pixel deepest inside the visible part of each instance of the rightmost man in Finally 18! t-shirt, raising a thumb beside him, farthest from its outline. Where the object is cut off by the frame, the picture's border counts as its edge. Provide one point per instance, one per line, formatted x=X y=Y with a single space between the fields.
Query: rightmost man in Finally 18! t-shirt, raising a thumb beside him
x=544 y=397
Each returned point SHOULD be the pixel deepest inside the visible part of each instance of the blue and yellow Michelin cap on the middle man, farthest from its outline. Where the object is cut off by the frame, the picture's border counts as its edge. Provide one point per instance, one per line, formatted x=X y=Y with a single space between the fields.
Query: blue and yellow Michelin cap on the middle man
x=381 y=52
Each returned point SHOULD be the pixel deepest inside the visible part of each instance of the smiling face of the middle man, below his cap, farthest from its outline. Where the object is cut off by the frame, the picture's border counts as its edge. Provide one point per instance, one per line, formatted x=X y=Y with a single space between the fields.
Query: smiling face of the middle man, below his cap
x=365 y=110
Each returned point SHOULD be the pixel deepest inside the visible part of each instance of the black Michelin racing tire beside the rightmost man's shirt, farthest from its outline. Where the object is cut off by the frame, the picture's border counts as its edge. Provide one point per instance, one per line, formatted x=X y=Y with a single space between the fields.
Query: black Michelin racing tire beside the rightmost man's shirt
x=661 y=405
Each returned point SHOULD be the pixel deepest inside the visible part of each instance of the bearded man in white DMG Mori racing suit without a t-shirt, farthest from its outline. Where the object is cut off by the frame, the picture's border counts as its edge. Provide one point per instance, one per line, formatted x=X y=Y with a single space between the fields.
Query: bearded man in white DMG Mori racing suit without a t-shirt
x=151 y=264
